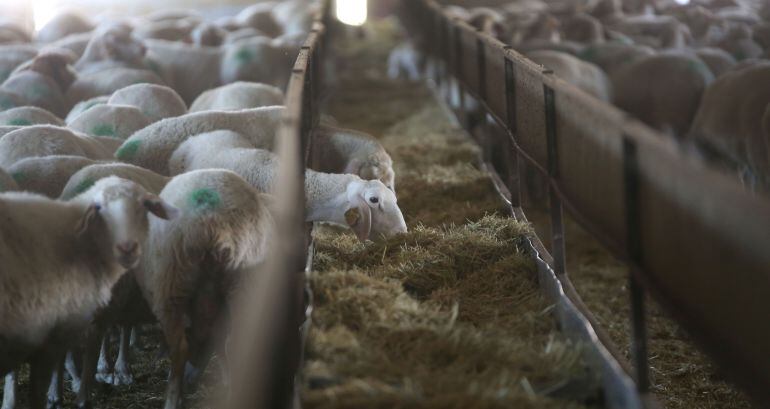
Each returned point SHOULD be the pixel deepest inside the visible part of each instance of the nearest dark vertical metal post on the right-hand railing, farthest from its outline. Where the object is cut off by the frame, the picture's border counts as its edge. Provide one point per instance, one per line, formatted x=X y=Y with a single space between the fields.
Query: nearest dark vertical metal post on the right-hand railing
x=634 y=248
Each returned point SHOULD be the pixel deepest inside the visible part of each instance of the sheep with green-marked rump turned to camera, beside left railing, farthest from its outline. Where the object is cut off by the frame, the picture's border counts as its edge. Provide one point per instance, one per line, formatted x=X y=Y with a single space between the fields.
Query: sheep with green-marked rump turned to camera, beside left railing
x=194 y=262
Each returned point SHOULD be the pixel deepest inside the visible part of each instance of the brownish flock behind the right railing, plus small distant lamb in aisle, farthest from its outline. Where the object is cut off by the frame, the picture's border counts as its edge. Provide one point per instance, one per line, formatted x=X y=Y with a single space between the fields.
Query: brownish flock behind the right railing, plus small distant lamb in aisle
x=698 y=72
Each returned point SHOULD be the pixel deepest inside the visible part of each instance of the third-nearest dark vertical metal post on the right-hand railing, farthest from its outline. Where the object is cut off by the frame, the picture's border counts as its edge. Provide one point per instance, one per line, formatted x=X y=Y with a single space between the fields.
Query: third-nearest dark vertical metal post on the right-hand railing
x=514 y=177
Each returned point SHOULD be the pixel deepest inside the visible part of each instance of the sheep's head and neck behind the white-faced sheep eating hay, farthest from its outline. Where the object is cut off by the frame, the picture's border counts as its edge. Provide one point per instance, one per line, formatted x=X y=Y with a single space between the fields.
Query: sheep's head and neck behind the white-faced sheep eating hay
x=348 y=151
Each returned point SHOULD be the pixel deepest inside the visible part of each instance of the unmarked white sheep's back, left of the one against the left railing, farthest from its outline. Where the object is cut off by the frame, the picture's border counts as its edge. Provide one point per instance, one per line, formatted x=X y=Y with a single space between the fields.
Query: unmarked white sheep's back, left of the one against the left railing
x=155 y=101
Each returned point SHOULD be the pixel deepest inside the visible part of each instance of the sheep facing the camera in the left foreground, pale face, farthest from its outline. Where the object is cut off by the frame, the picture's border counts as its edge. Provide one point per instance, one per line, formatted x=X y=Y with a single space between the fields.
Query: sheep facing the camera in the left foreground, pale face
x=60 y=269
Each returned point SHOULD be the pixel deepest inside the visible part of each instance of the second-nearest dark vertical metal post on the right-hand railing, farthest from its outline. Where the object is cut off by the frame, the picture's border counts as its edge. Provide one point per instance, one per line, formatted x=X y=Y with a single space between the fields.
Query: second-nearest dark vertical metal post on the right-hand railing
x=557 y=221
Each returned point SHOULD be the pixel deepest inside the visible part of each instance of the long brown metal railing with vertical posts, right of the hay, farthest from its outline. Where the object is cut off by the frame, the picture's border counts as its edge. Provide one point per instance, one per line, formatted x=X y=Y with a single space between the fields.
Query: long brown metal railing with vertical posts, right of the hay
x=691 y=236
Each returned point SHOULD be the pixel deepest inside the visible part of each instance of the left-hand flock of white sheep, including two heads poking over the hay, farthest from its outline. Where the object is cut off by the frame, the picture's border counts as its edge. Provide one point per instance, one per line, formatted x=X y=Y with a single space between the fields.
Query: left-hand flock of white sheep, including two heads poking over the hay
x=123 y=207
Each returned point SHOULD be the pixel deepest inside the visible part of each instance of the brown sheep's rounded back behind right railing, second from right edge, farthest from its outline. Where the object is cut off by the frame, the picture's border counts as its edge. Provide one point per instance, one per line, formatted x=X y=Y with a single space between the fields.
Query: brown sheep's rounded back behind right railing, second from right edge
x=662 y=90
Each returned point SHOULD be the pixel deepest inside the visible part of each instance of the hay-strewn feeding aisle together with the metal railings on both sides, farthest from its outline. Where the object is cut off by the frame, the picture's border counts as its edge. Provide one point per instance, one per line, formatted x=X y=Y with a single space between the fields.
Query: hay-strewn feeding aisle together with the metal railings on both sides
x=474 y=306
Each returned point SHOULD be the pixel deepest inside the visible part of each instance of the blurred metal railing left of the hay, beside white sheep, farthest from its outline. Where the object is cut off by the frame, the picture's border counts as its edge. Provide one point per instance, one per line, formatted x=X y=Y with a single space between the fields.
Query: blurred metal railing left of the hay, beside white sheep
x=267 y=338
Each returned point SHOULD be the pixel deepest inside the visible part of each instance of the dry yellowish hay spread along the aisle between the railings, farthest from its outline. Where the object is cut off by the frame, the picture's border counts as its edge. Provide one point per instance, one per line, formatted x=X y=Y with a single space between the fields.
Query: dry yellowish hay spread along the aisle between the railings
x=447 y=315
